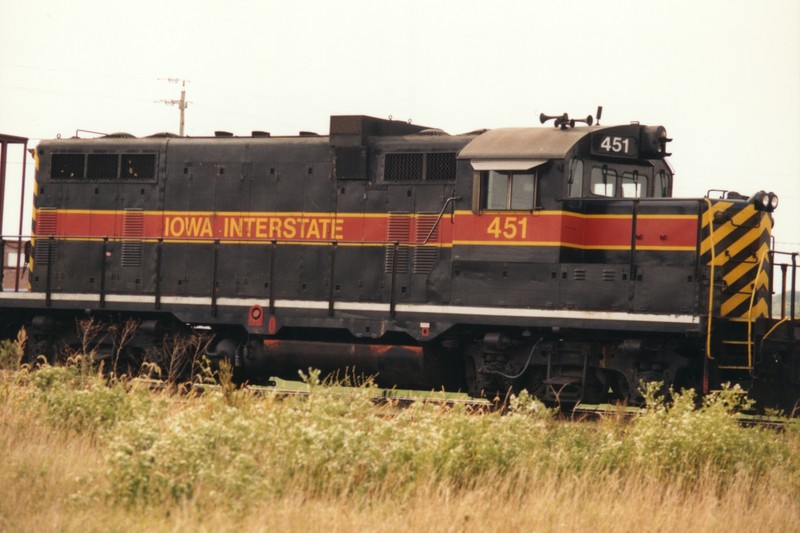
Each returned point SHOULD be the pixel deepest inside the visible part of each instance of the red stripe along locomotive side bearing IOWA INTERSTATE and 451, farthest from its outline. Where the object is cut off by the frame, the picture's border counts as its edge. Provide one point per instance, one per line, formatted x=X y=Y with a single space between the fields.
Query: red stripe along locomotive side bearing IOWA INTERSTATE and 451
x=463 y=229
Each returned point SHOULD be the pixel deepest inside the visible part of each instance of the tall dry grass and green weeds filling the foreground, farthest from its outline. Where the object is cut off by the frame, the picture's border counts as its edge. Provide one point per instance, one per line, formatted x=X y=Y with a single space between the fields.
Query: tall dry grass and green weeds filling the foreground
x=85 y=453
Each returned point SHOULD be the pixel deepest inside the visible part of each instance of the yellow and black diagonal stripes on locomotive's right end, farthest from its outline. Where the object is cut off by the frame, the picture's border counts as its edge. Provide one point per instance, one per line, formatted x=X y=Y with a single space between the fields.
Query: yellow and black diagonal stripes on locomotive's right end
x=735 y=243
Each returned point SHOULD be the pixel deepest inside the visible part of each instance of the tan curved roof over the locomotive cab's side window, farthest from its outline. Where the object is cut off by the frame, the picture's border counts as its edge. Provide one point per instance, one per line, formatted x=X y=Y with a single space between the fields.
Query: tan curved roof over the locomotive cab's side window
x=522 y=144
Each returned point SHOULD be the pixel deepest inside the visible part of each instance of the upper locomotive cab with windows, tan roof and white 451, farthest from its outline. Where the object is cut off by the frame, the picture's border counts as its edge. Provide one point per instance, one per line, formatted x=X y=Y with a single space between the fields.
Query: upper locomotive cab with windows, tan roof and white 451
x=527 y=169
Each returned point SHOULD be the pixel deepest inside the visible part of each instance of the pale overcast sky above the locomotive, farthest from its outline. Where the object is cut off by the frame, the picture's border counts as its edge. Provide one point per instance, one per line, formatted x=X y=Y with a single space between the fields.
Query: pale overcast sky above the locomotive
x=722 y=76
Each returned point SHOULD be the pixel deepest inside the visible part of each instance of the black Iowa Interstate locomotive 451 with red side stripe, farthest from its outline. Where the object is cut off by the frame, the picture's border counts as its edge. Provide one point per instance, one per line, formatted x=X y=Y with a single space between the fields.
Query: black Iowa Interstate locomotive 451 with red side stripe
x=547 y=258
